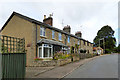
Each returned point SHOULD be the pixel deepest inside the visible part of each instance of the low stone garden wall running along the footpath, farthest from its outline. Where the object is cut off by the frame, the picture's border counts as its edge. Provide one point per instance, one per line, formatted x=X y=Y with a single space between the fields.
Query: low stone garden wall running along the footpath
x=60 y=62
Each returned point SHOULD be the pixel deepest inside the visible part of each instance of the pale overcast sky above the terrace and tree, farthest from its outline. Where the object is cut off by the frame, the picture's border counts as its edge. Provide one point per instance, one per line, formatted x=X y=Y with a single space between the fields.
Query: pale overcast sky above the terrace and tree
x=87 y=16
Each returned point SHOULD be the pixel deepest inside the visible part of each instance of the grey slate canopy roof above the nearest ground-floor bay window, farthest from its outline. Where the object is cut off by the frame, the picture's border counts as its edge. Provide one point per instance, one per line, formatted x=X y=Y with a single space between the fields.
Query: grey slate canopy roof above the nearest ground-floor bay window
x=50 y=42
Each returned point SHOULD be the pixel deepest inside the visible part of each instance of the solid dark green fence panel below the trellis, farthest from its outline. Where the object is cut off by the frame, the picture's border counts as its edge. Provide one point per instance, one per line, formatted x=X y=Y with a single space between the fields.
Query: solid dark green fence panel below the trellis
x=13 y=65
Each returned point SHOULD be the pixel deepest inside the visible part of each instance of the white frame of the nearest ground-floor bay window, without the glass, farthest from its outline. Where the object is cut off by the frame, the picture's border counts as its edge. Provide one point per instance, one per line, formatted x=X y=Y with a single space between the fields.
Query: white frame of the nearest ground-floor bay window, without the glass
x=43 y=46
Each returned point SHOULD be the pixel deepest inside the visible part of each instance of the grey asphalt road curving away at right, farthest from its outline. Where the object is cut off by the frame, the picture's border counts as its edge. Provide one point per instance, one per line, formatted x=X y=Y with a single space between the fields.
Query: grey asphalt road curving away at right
x=103 y=67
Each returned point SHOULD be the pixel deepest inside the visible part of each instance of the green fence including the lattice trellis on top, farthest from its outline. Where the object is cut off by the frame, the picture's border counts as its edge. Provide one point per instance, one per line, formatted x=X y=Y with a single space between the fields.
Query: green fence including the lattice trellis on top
x=13 y=57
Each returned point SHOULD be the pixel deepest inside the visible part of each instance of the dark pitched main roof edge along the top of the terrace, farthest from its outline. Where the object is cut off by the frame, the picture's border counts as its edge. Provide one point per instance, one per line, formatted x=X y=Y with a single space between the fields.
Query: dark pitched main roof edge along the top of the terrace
x=39 y=23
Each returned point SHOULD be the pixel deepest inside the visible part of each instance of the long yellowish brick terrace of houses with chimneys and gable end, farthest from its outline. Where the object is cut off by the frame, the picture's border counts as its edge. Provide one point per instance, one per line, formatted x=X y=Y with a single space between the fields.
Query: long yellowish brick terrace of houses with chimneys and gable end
x=42 y=40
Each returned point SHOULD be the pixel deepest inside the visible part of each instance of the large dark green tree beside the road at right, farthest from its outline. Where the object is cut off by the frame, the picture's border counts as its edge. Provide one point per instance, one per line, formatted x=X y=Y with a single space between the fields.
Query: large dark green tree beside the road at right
x=106 y=33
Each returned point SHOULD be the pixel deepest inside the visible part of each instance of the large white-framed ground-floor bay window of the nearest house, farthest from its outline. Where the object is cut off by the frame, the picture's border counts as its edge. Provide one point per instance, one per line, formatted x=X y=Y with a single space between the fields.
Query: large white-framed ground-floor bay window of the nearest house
x=45 y=51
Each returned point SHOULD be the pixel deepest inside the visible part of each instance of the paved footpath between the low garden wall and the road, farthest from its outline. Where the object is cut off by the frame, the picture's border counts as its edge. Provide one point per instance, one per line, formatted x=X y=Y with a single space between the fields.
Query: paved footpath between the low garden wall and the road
x=56 y=72
